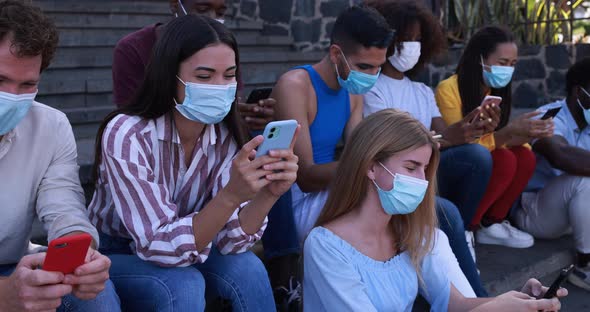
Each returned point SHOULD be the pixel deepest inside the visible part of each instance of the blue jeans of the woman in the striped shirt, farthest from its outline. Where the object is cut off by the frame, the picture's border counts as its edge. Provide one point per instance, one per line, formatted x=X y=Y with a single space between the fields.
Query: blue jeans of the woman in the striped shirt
x=143 y=286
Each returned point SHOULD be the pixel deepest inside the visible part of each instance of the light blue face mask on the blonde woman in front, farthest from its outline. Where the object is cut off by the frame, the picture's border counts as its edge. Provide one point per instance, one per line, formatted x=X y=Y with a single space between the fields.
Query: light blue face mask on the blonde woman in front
x=405 y=196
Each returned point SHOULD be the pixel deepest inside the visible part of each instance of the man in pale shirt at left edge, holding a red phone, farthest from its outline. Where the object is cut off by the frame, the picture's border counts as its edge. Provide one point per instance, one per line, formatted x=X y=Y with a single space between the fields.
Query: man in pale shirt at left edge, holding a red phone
x=39 y=178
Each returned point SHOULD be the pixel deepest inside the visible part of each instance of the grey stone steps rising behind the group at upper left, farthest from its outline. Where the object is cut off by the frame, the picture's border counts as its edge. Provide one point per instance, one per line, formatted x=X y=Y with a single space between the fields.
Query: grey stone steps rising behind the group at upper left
x=79 y=82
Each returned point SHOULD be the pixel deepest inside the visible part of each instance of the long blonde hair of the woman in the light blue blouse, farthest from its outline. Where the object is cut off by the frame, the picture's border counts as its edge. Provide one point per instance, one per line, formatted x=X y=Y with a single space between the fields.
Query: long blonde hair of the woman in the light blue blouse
x=377 y=138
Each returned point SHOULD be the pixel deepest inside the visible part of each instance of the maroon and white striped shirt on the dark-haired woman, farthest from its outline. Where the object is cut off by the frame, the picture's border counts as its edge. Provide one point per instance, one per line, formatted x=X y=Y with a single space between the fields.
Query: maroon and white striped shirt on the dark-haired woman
x=146 y=193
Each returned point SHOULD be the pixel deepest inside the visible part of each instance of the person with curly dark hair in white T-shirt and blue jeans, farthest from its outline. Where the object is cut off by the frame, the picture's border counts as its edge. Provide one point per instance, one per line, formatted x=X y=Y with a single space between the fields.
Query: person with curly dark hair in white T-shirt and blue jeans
x=464 y=167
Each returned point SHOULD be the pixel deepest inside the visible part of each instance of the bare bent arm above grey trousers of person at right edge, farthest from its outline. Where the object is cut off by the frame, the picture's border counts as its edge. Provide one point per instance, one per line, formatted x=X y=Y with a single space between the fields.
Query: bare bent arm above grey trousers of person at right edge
x=561 y=155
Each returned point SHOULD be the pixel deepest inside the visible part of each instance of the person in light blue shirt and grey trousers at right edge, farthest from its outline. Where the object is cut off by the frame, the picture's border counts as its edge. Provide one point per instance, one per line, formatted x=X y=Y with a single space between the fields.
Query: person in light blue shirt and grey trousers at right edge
x=555 y=202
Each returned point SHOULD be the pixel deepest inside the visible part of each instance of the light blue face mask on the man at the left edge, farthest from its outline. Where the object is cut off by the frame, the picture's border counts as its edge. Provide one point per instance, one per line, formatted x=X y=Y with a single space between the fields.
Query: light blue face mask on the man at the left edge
x=13 y=108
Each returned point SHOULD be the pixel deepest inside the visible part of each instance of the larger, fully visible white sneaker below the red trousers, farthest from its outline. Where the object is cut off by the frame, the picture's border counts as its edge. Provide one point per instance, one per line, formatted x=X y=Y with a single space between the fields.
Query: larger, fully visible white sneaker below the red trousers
x=504 y=234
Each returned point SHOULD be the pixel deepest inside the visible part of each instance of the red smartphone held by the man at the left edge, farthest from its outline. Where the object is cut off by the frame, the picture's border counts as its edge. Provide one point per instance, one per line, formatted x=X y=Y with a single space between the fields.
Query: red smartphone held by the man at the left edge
x=66 y=253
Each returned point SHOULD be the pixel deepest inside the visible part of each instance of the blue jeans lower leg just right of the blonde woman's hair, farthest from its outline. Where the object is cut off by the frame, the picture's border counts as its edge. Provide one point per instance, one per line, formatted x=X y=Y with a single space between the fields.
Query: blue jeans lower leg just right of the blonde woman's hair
x=451 y=223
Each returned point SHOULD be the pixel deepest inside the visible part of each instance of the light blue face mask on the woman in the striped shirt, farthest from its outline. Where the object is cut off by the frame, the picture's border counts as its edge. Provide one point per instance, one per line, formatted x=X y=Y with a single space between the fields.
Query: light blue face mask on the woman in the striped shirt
x=206 y=103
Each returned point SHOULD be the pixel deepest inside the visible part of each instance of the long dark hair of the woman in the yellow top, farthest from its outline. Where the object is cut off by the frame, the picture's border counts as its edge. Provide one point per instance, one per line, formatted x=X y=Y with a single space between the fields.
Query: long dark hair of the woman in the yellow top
x=469 y=71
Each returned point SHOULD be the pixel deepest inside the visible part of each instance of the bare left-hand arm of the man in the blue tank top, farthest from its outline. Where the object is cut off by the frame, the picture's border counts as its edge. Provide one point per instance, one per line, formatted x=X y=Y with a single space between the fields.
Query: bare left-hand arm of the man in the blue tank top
x=294 y=98
